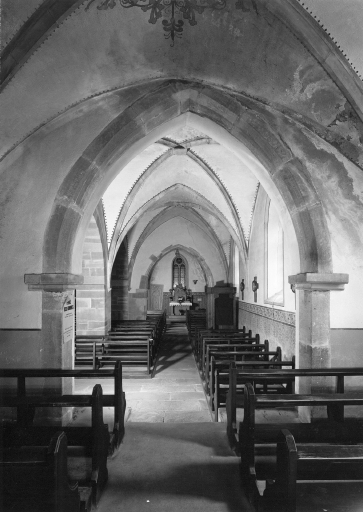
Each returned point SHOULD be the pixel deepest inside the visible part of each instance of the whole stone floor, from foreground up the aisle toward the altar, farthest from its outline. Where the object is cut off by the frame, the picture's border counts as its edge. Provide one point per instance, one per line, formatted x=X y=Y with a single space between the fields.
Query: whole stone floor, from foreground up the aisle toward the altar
x=158 y=465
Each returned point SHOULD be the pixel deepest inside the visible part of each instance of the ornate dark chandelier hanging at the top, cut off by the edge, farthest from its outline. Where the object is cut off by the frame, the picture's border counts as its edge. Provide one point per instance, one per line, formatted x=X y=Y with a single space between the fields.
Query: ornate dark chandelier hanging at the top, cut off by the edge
x=174 y=12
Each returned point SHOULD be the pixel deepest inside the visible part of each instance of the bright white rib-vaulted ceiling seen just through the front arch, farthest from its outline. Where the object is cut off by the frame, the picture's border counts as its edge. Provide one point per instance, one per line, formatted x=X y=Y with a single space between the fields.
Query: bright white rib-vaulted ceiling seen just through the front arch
x=181 y=176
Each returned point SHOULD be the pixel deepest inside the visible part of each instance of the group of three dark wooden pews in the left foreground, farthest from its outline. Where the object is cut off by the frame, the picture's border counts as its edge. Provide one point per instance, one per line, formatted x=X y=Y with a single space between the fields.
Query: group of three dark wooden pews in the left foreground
x=57 y=468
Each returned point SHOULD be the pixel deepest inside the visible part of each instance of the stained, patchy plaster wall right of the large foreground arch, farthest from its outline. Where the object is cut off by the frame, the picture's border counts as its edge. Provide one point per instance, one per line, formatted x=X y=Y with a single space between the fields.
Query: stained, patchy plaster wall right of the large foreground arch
x=339 y=184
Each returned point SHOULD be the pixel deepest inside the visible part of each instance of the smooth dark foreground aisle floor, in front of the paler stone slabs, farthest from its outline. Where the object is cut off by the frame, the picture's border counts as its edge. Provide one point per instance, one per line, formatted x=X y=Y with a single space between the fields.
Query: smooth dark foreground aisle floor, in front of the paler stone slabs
x=169 y=467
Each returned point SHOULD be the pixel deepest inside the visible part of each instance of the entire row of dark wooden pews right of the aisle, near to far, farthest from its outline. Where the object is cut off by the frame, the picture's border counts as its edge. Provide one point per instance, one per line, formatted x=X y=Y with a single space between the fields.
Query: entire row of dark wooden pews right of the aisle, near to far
x=284 y=452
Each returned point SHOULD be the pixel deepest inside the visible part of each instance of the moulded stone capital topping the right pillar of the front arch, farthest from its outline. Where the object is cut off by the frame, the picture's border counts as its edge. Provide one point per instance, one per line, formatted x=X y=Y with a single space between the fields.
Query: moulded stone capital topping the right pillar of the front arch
x=319 y=282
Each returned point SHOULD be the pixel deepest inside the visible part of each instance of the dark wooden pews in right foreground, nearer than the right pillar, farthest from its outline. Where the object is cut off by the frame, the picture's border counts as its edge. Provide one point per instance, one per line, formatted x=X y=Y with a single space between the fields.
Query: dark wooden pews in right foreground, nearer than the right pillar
x=281 y=453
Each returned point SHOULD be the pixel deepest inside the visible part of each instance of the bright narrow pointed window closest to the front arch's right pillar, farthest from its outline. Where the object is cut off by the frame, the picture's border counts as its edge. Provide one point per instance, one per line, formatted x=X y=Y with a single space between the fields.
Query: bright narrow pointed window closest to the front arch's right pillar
x=274 y=257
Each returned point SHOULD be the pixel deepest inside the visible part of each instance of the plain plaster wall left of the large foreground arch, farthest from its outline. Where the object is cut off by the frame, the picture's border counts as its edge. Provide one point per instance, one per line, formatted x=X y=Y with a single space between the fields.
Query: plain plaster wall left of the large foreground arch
x=30 y=177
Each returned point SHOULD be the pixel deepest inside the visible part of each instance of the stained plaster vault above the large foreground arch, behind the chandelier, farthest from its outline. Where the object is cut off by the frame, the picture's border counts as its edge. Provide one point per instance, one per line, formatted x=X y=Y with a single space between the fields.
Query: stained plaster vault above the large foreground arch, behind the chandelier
x=97 y=51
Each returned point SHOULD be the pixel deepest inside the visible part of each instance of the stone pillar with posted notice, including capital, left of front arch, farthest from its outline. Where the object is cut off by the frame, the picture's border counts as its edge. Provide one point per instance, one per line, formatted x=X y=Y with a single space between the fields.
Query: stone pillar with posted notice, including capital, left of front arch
x=57 y=338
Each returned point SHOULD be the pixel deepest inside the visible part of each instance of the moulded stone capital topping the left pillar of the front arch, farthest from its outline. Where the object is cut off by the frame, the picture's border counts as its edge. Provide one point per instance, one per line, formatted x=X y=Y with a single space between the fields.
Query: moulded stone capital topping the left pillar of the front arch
x=56 y=282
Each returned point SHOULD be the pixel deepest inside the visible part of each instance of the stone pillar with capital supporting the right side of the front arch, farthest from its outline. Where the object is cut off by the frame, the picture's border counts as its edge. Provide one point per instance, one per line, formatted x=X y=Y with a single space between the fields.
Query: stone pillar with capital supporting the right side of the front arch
x=313 y=328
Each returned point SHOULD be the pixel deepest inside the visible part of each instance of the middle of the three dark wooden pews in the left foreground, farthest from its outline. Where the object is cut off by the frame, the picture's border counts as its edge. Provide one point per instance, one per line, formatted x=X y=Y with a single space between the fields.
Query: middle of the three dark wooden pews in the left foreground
x=87 y=446
